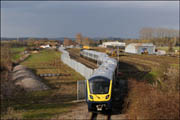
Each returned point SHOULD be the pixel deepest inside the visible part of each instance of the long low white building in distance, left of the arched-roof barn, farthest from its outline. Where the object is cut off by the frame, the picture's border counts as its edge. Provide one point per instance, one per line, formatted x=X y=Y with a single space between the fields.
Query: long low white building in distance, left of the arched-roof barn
x=113 y=44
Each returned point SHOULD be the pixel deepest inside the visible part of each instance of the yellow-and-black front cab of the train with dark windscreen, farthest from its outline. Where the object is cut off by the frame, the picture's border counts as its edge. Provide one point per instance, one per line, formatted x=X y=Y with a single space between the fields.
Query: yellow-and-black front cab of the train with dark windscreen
x=99 y=92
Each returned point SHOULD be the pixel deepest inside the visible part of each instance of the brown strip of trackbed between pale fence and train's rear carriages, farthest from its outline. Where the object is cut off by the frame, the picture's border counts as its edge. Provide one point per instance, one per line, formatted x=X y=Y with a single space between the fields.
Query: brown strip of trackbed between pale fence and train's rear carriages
x=76 y=56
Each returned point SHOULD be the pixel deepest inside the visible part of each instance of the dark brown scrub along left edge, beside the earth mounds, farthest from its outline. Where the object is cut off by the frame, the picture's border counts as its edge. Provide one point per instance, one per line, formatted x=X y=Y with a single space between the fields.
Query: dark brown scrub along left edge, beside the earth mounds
x=9 y=91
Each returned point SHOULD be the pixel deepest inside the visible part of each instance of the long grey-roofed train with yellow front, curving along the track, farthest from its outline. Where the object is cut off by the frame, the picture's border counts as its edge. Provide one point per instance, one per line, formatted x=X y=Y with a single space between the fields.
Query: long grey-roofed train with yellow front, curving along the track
x=99 y=85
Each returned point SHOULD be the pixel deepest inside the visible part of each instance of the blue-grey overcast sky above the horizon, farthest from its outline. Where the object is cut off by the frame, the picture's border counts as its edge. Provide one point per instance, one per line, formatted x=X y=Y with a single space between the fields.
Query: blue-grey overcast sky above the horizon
x=92 y=18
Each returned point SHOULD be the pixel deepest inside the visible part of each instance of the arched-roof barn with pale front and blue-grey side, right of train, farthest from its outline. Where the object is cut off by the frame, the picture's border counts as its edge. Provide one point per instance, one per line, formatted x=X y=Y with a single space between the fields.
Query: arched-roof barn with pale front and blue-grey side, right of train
x=140 y=48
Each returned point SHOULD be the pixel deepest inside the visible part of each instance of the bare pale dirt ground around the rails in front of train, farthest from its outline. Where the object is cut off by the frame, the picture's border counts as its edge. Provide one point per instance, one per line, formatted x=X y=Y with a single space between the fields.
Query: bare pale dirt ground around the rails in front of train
x=81 y=112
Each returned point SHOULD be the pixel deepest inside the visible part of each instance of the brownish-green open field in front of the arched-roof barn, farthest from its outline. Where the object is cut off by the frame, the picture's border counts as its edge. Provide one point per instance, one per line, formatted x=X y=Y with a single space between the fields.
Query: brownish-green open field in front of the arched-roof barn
x=157 y=64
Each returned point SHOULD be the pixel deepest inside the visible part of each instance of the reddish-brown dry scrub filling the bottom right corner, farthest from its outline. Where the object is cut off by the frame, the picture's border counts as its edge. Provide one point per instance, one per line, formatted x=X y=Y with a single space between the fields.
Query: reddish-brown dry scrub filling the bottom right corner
x=147 y=102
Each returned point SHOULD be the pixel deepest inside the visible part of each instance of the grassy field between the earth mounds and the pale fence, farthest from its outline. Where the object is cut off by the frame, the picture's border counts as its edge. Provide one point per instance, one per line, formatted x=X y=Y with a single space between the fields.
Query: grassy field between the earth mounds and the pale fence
x=45 y=104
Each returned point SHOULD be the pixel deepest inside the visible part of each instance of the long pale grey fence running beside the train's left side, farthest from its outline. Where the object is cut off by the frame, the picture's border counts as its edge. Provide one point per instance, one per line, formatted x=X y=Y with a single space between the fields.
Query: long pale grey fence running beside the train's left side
x=78 y=67
